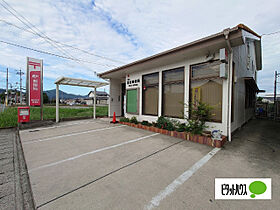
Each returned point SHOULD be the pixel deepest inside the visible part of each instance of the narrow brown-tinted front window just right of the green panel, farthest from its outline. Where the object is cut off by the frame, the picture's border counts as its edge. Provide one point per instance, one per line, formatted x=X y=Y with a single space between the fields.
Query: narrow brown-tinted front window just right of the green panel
x=150 y=94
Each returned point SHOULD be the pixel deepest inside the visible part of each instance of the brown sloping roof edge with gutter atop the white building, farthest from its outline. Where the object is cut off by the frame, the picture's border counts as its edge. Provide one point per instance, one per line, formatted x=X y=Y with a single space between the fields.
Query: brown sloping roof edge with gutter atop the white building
x=233 y=37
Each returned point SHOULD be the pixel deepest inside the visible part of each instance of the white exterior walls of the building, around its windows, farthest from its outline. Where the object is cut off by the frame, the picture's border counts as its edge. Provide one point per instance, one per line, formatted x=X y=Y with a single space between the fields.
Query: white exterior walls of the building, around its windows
x=241 y=115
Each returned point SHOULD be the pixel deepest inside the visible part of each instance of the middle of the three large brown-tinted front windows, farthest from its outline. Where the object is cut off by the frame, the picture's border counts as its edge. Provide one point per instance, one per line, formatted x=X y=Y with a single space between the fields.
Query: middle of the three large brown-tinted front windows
x=173 y=93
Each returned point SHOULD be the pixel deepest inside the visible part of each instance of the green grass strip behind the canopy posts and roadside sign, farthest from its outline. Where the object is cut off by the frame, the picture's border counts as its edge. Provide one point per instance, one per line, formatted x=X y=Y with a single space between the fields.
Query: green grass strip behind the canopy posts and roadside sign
x=8 y=118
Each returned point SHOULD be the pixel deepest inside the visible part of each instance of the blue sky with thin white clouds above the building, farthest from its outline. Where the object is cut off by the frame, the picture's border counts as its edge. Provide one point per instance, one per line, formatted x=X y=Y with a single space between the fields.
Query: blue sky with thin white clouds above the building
x=125 y=31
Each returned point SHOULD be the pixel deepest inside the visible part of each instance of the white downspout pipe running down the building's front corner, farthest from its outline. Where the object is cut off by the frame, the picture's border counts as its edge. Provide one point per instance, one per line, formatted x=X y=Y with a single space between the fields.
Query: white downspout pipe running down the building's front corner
x=226 y=34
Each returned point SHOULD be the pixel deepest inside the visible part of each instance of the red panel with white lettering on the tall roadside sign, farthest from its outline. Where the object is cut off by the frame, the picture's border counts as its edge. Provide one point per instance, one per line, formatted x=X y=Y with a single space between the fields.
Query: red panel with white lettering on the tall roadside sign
x=35 y=88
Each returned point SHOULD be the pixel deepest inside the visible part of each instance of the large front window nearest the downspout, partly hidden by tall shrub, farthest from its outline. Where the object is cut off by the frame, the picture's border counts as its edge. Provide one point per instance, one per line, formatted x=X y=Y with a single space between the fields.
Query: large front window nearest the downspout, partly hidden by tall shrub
x=207 y=87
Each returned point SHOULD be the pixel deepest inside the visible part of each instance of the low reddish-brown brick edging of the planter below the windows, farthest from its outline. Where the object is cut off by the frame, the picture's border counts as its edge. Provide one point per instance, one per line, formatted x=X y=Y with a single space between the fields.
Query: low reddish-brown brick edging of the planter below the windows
x=182 y=135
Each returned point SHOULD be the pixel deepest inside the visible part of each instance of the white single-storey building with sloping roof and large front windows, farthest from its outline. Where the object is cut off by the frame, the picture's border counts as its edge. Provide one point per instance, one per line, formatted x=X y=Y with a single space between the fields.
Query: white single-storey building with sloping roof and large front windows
x=220 y=70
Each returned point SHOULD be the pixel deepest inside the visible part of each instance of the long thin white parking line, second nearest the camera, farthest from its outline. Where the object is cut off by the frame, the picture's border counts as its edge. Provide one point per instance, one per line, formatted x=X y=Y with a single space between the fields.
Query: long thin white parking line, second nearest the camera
x=92 y=152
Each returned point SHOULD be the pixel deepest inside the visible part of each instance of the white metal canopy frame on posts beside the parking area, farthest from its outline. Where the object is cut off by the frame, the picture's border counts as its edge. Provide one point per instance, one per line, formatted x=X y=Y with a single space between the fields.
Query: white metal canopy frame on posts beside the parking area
x=80 y=83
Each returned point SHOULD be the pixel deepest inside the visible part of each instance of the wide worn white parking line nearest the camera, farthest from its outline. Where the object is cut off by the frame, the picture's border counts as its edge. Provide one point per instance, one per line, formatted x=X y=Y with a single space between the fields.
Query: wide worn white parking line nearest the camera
x=180 y=180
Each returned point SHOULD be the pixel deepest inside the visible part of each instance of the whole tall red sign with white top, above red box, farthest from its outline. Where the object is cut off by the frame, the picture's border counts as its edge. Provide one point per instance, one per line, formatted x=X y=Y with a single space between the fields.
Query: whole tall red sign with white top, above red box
x=34 y=67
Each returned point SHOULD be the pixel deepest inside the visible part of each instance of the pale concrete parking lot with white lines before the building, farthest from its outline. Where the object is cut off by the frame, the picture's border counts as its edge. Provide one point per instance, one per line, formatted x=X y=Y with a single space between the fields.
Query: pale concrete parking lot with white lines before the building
x=96 y=165
